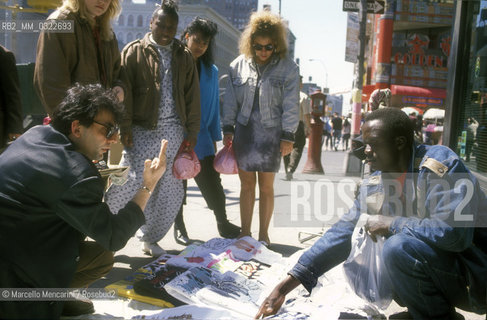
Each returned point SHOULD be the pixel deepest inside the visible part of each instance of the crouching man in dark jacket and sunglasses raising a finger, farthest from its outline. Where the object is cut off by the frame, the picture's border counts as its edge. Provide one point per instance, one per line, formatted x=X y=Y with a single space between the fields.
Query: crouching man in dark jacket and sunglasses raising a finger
x=51 y=198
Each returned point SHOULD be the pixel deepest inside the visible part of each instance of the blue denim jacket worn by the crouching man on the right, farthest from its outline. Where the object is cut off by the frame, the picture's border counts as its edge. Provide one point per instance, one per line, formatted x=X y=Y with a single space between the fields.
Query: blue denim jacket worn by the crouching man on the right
x=439 y=188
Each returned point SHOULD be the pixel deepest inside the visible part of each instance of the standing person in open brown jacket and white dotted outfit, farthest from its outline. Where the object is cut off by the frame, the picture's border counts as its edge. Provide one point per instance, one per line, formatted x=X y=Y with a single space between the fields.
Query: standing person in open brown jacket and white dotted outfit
x=163 y=102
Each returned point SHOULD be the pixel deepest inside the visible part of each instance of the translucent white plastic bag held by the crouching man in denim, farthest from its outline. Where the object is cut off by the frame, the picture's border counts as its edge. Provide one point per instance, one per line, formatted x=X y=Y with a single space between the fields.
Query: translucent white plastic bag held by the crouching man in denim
x=365 y=269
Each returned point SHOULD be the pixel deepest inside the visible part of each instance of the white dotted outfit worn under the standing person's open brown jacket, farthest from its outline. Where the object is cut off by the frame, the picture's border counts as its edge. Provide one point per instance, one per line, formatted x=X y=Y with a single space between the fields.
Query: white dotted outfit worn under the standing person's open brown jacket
x=167 y=196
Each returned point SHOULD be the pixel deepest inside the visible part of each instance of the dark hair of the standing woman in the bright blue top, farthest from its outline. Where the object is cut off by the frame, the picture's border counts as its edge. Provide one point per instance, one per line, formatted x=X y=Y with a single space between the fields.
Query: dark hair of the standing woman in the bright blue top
x=208 y=29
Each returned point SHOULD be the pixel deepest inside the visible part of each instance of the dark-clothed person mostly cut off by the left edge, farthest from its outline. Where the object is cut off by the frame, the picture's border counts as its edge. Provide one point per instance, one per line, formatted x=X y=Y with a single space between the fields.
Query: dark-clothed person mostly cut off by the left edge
x=11 y=126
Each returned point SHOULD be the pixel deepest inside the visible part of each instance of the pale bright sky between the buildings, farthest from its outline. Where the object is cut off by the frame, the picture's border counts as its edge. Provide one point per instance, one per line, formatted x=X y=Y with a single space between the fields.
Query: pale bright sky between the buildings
x=320 y=27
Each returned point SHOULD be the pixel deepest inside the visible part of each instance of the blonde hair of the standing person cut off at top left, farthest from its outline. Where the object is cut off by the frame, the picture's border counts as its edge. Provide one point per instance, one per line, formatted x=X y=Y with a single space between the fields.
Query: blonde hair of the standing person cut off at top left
x=112 y=12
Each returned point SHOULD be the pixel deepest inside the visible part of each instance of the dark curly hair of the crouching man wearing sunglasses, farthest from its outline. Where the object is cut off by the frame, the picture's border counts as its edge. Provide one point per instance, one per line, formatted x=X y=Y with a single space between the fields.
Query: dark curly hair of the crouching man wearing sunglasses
x=83 y=103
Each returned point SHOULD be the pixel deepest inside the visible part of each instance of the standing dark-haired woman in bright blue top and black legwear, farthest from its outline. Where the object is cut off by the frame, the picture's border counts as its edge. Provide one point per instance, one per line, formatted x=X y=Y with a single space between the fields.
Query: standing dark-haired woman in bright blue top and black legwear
x=199 y=36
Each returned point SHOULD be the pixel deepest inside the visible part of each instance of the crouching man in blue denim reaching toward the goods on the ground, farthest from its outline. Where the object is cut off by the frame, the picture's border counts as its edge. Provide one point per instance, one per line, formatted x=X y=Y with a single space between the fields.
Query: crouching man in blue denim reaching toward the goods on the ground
x=434 y=221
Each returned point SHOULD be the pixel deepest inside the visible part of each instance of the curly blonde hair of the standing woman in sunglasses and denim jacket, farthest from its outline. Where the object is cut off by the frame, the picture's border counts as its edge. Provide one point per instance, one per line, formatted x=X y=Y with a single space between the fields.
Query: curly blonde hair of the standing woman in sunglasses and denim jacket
x=264 y=24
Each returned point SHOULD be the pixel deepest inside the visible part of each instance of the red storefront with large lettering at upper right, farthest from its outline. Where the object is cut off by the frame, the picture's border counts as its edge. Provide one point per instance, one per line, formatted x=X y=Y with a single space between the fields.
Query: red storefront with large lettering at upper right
x=408 y=52
